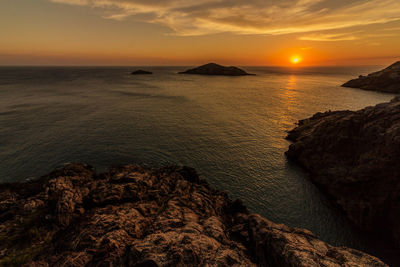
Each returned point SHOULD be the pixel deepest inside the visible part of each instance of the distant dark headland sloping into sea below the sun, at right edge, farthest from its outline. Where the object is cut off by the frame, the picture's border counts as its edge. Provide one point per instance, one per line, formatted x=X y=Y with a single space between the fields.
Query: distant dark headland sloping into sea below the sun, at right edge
x=386 y=80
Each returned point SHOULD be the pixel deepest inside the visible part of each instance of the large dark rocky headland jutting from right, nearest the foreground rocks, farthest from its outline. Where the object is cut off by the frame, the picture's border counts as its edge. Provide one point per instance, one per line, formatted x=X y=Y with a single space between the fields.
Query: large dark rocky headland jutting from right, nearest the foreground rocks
x=353 y=157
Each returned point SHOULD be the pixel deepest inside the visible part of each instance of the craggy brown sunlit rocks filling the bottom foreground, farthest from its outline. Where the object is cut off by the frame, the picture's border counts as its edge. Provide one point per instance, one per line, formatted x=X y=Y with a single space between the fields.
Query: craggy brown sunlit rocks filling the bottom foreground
x=133 y=216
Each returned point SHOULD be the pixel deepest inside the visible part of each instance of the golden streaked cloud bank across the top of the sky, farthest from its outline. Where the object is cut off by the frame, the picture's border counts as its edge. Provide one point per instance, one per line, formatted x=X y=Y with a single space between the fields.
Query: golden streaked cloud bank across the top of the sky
x=271 y=17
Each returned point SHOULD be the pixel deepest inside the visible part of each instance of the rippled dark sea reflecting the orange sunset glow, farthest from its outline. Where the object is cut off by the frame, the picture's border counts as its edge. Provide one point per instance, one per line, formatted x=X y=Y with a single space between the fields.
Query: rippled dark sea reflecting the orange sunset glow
x=231 y=129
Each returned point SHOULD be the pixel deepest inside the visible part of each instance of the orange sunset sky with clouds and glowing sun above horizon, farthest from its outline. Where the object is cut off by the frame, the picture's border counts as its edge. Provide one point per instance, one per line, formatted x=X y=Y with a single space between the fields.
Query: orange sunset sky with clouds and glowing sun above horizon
x=183 y=32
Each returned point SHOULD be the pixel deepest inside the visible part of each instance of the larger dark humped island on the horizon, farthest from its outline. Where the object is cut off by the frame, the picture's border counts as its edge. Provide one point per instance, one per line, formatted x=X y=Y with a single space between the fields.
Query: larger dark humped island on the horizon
x=215 y=69
